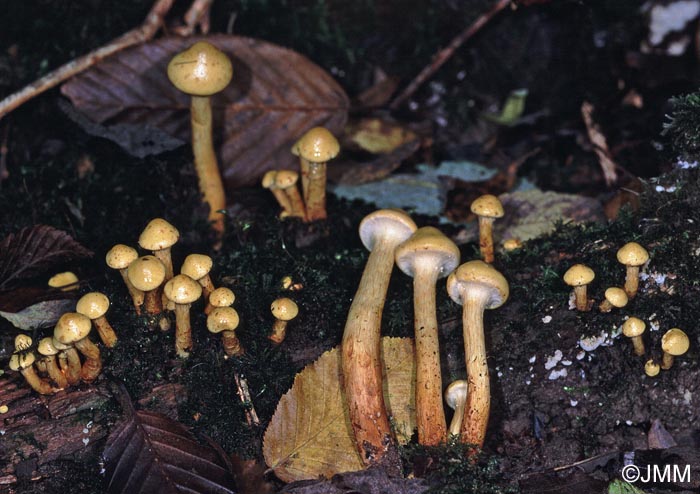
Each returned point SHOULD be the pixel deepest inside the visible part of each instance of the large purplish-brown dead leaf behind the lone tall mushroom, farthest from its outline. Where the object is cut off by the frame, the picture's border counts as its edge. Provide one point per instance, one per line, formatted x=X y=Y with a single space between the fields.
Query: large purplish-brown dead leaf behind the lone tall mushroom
x=276 y=94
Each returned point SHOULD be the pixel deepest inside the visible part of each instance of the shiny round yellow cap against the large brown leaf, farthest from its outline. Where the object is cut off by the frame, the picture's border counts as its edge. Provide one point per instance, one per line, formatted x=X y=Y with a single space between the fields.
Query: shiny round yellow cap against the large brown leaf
x=201 y=70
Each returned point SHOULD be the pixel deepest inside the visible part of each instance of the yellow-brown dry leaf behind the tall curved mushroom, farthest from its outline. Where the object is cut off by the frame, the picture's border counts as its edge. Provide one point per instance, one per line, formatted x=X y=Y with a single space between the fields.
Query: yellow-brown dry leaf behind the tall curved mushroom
x=310 y=434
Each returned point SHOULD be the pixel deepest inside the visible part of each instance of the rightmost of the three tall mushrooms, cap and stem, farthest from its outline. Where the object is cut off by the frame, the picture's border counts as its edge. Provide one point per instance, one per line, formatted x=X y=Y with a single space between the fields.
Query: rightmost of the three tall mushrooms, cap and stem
x=477 y=286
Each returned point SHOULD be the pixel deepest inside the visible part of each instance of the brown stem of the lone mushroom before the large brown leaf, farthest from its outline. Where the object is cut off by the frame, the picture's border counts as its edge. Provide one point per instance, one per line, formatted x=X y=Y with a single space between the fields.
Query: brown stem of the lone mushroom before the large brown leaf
x=210 y=183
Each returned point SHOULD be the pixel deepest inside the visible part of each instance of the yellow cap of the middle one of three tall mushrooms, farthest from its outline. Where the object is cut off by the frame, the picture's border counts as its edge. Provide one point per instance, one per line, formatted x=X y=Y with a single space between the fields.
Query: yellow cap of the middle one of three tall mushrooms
x=428 y=245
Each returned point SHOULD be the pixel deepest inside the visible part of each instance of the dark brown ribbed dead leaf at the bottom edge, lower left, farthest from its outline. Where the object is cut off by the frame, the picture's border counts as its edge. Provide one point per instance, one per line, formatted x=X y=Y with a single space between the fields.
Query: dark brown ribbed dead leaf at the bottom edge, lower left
x=152 y=453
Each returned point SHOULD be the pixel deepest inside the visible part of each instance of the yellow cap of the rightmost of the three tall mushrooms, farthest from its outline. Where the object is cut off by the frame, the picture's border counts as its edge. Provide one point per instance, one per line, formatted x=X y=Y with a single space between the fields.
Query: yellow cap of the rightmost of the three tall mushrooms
x=478 y=274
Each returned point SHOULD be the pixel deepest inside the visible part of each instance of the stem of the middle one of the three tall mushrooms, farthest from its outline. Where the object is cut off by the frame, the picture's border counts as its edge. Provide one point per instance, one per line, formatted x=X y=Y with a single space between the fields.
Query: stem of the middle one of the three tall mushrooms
x=430 y=417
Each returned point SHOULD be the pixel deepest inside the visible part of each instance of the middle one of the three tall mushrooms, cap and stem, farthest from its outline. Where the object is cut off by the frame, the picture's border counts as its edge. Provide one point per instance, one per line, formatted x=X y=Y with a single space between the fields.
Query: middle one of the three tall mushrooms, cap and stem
x=426 y=256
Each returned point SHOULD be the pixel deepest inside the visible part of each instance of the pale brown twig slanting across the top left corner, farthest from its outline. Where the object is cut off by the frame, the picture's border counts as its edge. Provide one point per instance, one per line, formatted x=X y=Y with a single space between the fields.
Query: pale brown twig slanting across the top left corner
x=146 y=31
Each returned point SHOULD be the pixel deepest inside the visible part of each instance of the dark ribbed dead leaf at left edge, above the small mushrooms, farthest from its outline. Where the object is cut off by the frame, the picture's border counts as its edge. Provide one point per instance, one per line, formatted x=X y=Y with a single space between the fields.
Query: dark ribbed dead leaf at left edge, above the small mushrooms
x=33 y=251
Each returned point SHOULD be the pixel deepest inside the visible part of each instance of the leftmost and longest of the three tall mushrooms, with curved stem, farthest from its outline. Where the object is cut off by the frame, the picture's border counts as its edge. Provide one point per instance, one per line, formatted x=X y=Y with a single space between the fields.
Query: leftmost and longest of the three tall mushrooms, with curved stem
x=381 y=232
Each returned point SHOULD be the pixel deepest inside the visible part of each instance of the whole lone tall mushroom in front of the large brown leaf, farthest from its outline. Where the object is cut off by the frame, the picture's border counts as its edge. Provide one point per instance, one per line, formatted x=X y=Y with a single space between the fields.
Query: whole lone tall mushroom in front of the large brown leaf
x=202 y=71
